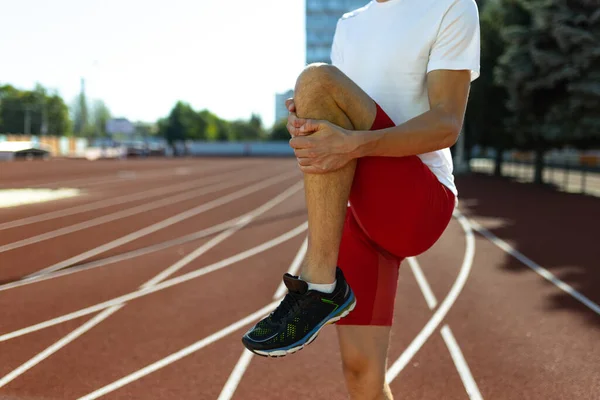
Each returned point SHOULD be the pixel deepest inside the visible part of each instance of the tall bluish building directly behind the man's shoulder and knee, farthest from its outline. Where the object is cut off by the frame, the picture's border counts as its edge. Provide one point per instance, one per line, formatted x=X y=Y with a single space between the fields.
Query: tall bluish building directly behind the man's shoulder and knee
x=321 y=20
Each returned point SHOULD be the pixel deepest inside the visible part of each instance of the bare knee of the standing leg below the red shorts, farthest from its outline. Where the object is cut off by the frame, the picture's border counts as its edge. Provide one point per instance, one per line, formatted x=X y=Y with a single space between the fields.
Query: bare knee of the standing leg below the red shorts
x=365 y=378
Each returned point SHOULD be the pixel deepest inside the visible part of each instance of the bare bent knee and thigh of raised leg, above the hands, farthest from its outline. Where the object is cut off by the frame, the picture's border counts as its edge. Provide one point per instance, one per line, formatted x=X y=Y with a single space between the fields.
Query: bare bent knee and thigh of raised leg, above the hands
x=319 y=80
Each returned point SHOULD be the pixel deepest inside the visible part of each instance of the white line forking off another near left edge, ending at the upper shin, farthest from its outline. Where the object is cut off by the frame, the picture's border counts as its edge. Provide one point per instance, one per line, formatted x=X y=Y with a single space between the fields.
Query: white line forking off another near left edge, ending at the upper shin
x=165 y=223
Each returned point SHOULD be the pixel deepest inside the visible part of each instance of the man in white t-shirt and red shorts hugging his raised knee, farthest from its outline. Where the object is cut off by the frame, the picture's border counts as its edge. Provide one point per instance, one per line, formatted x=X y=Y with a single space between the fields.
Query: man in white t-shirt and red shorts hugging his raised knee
x=372 y=134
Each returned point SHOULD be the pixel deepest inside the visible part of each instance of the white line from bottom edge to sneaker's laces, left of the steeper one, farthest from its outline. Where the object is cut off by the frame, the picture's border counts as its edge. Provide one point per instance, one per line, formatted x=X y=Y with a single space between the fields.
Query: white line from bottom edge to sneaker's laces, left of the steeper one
x=180 y=354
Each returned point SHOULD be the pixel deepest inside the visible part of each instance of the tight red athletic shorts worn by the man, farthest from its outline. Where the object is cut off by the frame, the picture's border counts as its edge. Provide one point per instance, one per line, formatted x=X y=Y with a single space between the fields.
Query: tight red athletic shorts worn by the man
x=397 y=209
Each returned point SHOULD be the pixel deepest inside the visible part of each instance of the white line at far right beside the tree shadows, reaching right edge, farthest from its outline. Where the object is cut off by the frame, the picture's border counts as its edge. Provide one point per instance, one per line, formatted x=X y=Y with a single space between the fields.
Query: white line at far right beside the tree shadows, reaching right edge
x=543 y=272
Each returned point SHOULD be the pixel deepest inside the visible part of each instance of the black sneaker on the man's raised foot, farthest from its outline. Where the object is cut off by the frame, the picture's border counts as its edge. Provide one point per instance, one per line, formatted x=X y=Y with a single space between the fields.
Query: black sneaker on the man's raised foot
x=300 y=316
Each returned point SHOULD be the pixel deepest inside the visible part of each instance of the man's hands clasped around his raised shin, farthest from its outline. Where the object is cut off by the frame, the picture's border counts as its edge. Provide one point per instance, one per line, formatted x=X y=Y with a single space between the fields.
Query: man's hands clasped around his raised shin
x=319 y=146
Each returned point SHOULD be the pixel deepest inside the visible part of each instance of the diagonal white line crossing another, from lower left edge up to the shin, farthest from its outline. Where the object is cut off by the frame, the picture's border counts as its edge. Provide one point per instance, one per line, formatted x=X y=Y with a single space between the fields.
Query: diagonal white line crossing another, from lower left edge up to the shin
x=38 y=358
